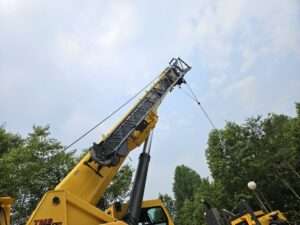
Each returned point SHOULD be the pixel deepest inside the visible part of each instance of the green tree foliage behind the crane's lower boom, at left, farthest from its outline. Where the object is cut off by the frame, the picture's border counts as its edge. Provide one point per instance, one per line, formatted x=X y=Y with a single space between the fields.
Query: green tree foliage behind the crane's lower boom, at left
x=31 y=166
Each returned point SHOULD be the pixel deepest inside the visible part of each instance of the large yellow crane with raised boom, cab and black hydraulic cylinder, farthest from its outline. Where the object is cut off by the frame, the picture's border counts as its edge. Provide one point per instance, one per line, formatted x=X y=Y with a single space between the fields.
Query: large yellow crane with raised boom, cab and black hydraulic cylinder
x=74 y=199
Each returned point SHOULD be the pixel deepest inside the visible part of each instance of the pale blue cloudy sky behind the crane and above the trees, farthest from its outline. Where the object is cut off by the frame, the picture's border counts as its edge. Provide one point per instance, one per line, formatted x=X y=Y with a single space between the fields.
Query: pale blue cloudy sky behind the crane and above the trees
x=70 y=63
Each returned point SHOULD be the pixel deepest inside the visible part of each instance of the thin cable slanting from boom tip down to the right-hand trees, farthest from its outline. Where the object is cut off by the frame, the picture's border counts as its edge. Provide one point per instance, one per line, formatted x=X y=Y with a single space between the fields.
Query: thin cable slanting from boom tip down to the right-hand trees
x=194 y=97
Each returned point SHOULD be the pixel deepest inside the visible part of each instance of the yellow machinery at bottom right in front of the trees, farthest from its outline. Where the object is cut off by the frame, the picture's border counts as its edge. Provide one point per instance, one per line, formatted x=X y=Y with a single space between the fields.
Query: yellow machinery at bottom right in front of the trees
x=246 y=216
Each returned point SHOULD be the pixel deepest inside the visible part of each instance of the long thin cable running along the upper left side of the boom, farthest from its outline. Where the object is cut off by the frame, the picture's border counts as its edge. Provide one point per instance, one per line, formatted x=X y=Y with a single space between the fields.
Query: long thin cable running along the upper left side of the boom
x=111 y=114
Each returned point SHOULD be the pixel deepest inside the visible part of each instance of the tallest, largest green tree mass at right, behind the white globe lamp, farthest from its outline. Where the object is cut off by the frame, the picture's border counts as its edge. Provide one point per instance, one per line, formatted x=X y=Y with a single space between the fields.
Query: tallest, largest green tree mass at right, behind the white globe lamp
x=262 y=149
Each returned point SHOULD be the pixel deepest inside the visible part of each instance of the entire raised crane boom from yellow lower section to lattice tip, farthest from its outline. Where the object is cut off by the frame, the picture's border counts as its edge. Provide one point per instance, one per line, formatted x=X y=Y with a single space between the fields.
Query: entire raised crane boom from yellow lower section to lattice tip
x=91 y=176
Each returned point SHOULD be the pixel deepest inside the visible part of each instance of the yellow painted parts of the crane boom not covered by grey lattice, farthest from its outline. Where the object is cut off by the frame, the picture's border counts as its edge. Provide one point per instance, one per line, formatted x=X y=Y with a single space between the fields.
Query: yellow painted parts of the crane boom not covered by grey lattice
x=88 y=181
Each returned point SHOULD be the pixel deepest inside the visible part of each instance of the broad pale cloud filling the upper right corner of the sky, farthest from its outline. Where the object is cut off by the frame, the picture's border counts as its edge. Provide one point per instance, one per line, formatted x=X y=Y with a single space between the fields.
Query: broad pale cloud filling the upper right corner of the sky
x=223 y=30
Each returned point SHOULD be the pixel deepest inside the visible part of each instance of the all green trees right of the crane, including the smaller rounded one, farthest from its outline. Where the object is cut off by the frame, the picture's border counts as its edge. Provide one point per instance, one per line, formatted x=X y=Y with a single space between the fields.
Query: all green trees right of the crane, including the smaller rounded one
x=266 y=150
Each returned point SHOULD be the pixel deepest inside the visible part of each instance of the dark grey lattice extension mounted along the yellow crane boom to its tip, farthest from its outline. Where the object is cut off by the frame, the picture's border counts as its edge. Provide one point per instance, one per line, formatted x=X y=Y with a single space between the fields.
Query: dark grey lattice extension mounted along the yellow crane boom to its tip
x=109 y=151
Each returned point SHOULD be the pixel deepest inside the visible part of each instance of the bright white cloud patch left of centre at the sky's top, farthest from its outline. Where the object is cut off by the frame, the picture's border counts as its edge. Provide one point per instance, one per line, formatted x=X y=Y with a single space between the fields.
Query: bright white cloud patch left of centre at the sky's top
x=98 y=39
